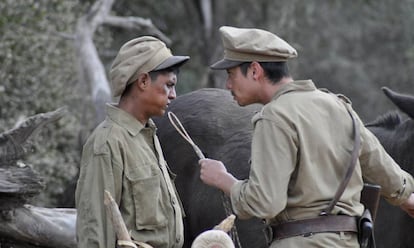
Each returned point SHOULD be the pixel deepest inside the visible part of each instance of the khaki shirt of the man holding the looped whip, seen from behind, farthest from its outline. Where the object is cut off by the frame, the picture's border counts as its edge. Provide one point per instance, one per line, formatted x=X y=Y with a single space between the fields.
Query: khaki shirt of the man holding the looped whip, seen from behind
x=301 y=146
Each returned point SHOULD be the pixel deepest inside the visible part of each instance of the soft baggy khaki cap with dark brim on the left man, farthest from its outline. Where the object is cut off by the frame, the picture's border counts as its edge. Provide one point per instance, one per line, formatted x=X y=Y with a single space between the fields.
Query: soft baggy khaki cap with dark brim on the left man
x=140 y=55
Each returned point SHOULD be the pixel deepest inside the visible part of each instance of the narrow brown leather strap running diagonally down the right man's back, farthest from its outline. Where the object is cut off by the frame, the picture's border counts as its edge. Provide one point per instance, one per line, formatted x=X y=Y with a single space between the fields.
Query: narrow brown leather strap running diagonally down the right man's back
x=351 y=165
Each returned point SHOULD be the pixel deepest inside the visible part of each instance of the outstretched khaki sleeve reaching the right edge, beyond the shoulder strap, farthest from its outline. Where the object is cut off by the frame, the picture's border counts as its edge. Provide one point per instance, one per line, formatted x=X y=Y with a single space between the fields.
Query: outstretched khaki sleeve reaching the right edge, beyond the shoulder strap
x=379 y=168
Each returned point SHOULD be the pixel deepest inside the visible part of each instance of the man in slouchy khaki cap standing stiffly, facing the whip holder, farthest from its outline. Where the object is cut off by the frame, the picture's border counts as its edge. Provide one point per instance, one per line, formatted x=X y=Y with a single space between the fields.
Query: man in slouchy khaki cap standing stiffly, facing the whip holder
x=124 y=157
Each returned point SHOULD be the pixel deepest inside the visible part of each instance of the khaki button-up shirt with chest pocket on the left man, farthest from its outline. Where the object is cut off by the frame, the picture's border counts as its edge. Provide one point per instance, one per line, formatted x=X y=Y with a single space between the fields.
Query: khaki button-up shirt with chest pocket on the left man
x=125 y=158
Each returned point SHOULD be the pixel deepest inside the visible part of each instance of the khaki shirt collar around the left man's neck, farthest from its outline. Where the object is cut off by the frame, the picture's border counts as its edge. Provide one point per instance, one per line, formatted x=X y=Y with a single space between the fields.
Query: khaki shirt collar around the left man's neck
x=125 y=120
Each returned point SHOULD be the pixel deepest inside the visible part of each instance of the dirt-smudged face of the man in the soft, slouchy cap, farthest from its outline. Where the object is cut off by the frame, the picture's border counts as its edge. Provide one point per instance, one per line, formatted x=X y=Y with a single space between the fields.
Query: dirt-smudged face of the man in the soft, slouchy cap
x=160 y=93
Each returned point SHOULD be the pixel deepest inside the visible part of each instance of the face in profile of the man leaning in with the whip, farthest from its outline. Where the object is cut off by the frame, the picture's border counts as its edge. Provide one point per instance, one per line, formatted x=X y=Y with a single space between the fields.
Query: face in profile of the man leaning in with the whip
x=241 y=86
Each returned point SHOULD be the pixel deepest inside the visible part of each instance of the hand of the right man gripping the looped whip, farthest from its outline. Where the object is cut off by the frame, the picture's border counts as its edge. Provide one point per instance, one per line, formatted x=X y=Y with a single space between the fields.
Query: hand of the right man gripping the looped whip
x=214 y=173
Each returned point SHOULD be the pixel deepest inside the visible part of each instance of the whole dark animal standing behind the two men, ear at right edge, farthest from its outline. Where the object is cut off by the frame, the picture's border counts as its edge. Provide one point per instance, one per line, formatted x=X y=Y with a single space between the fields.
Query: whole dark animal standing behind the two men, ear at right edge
x=223 y=131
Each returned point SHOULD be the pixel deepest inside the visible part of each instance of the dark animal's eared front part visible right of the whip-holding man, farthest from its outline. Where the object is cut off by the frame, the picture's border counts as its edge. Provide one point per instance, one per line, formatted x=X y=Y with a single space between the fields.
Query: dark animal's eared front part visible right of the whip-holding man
x=394 y=228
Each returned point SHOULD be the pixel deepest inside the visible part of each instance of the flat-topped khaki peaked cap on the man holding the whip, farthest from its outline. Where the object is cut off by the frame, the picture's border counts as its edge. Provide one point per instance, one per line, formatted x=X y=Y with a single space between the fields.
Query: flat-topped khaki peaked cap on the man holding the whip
x=250 y=44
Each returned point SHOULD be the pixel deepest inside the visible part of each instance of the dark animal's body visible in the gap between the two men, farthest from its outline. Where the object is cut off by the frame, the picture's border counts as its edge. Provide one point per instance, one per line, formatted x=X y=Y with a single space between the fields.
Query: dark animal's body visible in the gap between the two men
x=222 y=130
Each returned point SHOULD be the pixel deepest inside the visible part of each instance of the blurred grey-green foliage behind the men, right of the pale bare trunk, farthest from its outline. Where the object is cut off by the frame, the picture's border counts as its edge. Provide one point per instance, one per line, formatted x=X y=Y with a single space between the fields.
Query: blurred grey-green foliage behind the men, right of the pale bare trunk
x=350 y=47
